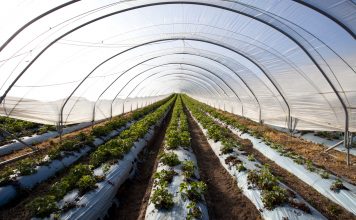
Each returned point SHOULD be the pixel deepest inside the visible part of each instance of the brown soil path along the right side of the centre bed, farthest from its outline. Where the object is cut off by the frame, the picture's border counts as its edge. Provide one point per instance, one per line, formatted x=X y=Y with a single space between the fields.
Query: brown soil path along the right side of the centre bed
x=224 y=199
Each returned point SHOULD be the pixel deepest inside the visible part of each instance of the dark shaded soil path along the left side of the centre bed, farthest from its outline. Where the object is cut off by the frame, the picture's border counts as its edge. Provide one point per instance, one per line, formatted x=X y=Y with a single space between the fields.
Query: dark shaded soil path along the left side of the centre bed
x=134 y=194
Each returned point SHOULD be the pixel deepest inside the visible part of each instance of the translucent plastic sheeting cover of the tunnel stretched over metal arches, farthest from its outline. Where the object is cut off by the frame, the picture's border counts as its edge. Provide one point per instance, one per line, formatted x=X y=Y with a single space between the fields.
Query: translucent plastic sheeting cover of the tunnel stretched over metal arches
x=288 y=63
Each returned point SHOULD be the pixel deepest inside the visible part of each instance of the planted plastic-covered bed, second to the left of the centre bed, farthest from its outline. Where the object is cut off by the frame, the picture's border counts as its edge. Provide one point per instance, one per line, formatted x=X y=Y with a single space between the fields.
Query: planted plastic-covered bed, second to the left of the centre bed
x=27 y=173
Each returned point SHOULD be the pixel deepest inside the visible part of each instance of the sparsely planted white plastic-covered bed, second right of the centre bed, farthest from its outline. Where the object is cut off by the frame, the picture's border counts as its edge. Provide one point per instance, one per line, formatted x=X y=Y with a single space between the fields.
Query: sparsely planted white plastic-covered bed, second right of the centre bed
x=337 y=190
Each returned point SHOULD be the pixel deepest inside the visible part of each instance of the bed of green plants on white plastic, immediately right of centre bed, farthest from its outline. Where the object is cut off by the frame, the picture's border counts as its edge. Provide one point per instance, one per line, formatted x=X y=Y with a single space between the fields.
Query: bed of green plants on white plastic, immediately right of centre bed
x=256 y=180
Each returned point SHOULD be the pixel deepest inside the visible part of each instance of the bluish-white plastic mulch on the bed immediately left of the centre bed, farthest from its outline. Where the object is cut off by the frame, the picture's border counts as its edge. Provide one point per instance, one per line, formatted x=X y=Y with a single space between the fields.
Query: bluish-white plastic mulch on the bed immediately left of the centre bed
x=95 y=204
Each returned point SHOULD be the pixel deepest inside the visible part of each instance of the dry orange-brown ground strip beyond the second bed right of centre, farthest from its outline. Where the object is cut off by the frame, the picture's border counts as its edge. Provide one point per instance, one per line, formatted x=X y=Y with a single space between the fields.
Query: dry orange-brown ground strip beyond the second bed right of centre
x=335 y=162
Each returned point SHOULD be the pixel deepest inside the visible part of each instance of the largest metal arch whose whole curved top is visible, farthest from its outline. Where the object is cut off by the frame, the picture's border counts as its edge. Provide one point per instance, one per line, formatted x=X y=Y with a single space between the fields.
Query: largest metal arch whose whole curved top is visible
x=208 y=5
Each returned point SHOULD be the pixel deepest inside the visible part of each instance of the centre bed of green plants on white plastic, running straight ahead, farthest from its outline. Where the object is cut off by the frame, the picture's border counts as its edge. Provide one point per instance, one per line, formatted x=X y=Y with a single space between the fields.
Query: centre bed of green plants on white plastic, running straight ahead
x=176 y=187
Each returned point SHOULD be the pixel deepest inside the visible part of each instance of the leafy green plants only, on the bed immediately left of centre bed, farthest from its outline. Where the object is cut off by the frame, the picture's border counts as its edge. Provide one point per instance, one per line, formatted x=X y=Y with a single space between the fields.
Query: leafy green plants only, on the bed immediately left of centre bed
x=82 y=176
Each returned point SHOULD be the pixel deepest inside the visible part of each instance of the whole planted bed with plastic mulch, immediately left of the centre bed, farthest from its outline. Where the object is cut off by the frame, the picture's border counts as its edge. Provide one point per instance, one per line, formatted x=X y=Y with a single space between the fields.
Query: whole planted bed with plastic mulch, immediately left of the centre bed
x=88 y=189
